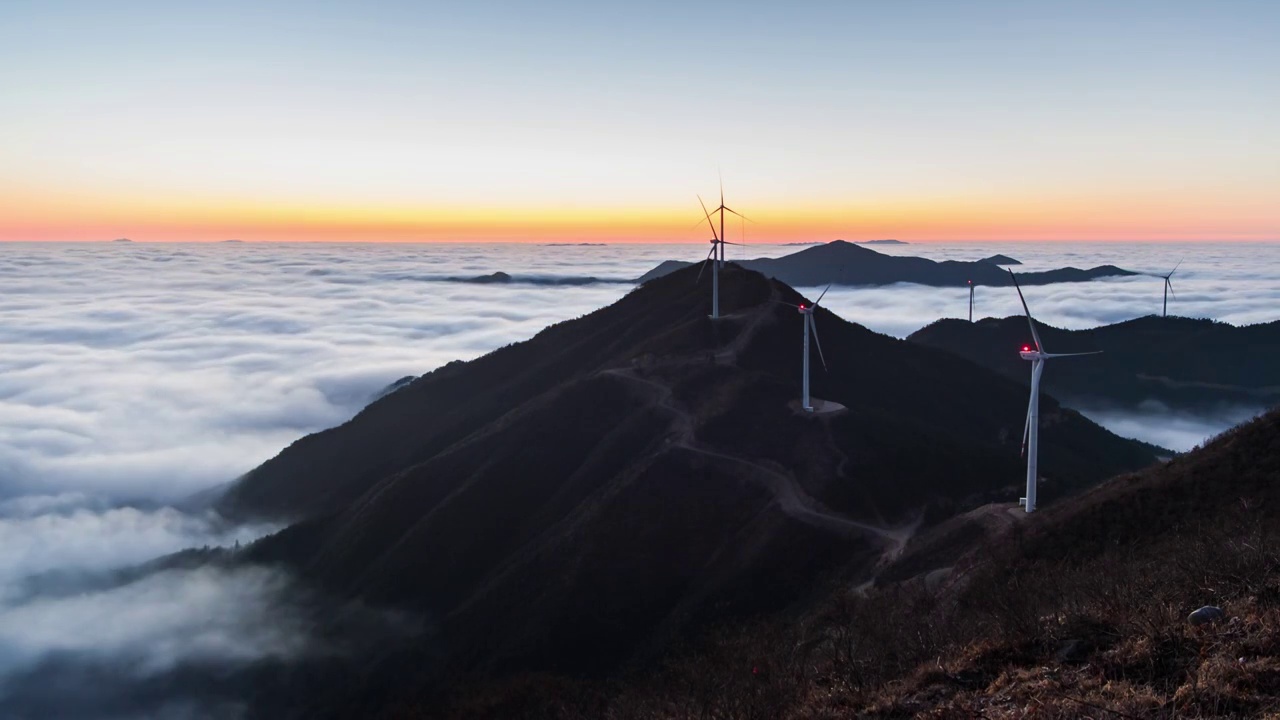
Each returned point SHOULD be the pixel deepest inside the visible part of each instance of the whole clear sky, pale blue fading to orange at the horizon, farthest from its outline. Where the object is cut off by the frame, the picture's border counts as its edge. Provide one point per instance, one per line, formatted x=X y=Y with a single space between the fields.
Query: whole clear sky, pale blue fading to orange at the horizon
x=574 y=121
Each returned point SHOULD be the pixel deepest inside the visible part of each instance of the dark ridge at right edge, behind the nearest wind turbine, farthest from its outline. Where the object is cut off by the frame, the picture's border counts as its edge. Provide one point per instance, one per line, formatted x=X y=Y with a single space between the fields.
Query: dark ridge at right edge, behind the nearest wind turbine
x=1182 y=363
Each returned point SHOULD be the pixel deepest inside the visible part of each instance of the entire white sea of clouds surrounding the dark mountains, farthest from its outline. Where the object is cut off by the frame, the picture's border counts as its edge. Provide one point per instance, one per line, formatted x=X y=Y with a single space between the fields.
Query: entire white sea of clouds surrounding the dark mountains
x=134 y=376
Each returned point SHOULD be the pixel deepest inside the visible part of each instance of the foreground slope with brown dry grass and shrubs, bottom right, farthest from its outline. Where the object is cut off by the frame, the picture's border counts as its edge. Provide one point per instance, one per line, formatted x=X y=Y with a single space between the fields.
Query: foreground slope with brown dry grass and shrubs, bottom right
x=1084 y=610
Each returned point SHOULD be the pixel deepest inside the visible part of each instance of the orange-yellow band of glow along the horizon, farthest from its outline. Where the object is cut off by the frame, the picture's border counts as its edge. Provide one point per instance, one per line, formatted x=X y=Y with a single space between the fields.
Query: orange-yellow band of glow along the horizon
x=43 y=218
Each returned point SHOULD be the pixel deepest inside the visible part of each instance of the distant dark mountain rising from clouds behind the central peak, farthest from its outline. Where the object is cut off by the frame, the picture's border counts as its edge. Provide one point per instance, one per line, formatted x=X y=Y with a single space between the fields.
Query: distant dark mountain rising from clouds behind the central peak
x=847 y=263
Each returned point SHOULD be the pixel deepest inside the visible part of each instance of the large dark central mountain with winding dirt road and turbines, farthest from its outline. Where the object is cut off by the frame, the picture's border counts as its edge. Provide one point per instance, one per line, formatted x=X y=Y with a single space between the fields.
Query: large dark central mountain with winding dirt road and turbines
x=586 y=498
